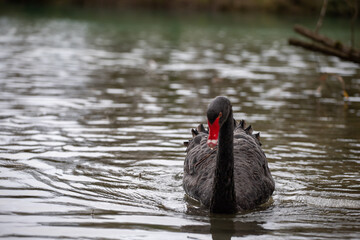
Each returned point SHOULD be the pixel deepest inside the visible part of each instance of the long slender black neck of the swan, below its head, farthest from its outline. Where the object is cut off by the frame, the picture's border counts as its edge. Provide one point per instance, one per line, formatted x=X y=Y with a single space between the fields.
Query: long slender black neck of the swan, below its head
x=223 y=199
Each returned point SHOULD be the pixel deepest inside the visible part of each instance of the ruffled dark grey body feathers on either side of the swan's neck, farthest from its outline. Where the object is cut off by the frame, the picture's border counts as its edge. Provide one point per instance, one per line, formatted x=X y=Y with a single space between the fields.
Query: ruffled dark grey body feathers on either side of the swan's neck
x=253 y=181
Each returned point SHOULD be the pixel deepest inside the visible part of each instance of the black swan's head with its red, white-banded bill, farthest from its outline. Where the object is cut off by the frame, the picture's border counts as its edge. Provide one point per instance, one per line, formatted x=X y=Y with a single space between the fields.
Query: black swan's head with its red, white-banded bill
x=217 y=113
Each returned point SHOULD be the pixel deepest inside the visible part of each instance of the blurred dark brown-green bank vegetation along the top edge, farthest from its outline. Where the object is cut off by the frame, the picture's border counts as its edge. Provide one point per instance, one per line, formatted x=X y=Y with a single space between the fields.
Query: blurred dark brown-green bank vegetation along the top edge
x=335 y=7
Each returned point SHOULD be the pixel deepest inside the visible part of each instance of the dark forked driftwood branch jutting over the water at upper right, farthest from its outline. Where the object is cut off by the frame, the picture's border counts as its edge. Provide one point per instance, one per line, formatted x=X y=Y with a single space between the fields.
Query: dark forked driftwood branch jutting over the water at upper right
x=325 y=45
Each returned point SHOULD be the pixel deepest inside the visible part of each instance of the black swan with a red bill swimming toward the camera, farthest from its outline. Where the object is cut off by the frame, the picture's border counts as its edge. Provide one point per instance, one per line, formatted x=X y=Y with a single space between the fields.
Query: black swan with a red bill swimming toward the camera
x=225 y=168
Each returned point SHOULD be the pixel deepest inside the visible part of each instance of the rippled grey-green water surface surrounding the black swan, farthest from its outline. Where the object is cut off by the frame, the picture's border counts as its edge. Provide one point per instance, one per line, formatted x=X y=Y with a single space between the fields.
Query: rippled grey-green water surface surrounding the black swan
x=95 y=108
